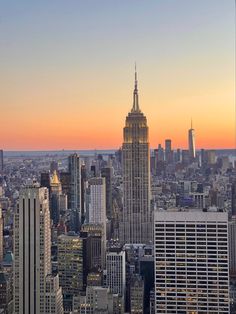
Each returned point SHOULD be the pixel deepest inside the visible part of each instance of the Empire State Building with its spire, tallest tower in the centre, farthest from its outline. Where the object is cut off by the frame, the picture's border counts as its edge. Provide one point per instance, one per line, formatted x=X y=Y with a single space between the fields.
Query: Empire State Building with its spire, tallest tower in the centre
x=136 y=224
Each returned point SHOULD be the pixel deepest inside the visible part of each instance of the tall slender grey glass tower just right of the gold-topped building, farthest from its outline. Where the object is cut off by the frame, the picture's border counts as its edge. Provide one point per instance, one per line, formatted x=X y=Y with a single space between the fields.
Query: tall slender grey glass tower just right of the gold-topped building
x=74 y=198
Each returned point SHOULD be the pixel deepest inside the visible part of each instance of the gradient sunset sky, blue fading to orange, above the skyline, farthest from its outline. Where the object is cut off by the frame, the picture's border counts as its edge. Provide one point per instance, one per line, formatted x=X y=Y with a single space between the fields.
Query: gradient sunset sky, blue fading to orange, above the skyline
x=66 y=71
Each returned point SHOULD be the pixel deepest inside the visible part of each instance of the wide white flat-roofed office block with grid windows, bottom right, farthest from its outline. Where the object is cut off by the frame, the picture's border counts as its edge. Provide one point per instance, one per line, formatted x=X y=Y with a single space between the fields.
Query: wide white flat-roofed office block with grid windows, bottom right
x=191 y=262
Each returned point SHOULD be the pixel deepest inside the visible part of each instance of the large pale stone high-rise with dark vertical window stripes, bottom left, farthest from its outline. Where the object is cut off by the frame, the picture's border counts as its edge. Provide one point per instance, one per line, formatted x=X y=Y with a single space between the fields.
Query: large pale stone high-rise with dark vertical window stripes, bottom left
x=32 y=253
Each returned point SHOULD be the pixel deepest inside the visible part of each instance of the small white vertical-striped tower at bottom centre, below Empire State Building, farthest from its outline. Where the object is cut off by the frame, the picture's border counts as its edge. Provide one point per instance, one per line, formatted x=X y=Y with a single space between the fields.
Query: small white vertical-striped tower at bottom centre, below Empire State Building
x=115 y=262
